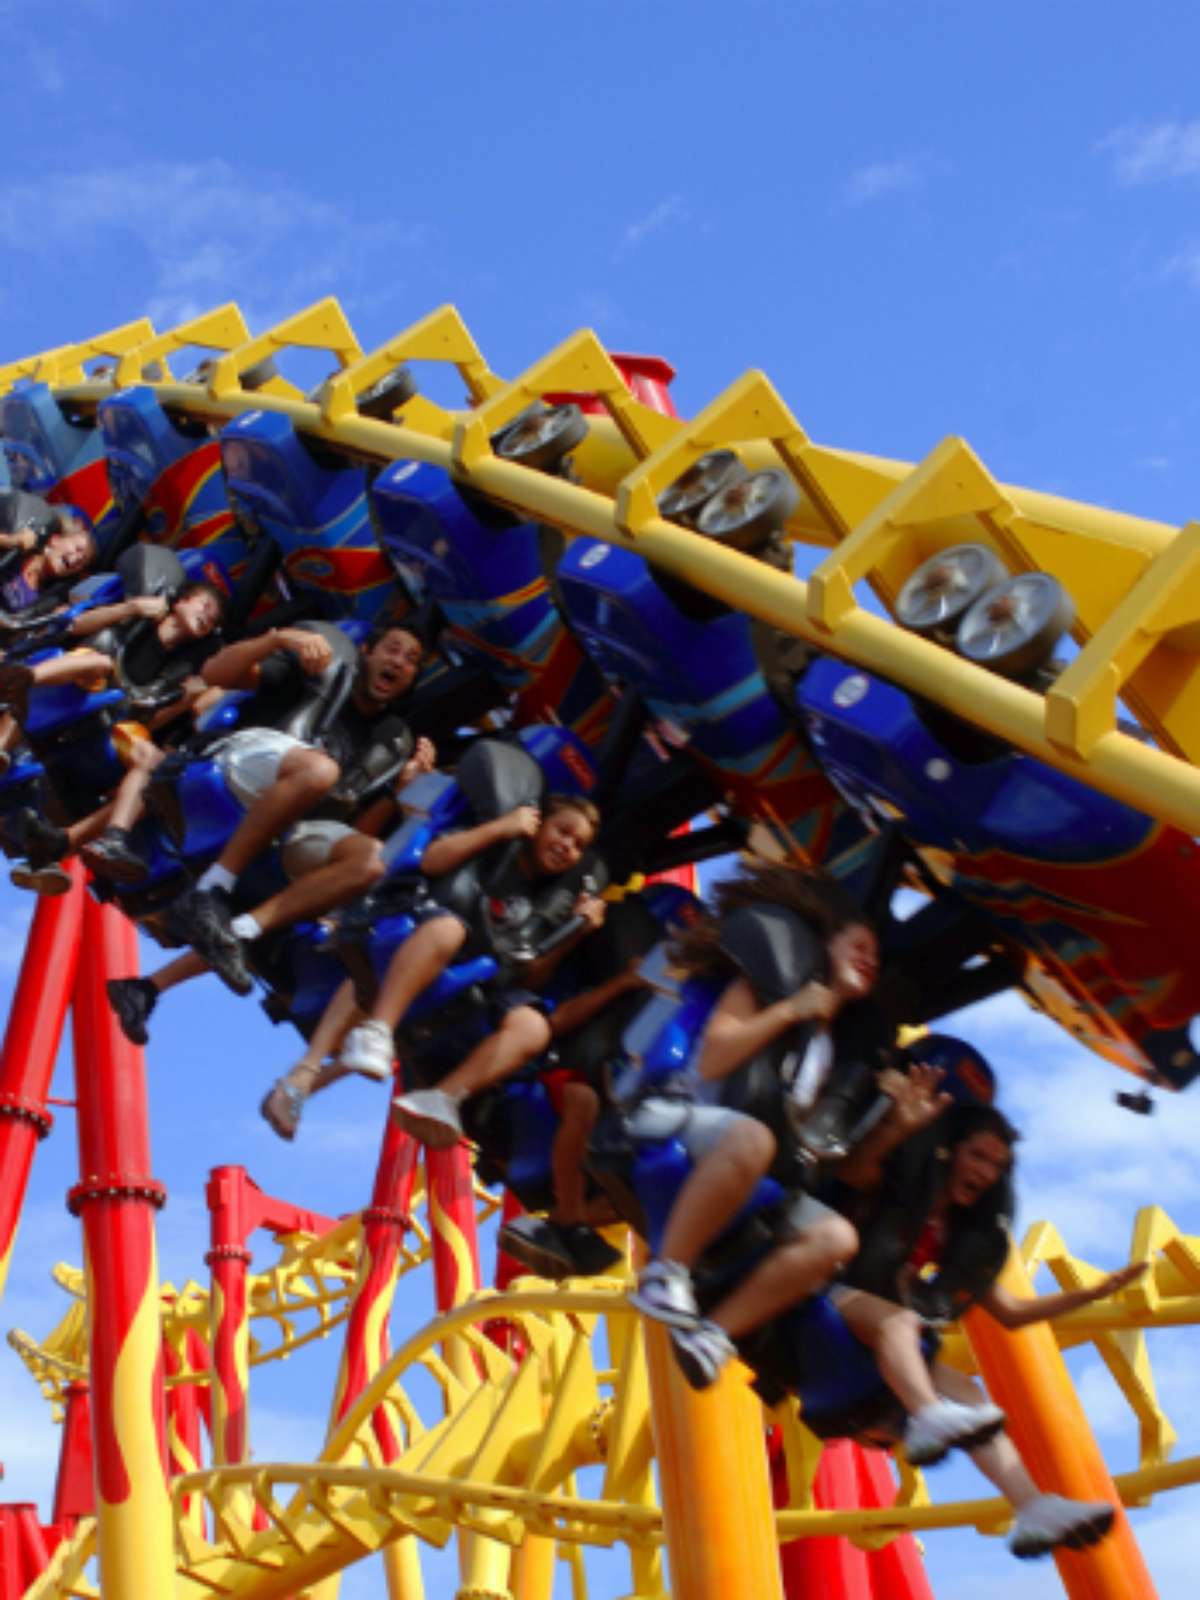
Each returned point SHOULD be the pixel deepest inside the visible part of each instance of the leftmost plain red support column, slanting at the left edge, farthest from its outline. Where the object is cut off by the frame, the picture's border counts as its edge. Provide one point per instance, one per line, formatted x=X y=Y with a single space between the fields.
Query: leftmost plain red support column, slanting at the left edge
x=31 y=1046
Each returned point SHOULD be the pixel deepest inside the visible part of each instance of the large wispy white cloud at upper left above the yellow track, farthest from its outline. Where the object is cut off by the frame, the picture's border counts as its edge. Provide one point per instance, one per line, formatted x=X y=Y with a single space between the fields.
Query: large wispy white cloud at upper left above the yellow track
x=209 y=233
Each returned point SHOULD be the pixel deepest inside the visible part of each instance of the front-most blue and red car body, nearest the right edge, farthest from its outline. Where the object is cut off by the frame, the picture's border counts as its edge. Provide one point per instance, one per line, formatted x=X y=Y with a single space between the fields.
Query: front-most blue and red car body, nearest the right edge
x=1095 y=902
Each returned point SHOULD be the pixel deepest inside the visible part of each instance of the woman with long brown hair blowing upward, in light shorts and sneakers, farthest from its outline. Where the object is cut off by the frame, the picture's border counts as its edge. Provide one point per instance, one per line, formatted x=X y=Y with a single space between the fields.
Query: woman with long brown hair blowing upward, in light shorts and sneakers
x=783 y=1049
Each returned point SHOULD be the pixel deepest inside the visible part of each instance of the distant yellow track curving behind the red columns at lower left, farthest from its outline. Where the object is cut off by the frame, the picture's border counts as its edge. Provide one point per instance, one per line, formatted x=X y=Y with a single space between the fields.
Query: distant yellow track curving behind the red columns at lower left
x=302 y=1298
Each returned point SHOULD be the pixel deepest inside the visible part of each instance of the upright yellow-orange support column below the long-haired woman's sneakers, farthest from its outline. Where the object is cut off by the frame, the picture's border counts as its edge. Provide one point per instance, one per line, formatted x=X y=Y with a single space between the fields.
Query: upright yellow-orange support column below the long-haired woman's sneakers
x=714 y=1482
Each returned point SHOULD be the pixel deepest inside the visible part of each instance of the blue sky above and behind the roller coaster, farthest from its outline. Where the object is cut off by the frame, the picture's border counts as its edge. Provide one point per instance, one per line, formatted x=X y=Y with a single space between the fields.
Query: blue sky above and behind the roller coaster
x=919 y=220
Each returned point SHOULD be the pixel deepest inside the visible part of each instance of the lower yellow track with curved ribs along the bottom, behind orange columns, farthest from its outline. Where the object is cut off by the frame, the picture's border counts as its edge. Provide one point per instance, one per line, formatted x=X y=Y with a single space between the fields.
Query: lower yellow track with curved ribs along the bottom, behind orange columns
x=500 y=1457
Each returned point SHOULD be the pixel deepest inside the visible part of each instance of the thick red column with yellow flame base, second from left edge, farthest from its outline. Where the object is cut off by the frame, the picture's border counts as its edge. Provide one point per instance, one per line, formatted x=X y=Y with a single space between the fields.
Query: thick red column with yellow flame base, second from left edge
x=116 y=1201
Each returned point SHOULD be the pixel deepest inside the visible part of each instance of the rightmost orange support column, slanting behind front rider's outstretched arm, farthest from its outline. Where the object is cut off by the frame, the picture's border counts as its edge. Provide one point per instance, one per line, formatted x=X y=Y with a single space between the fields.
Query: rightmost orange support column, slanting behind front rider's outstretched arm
x=1026 y=1377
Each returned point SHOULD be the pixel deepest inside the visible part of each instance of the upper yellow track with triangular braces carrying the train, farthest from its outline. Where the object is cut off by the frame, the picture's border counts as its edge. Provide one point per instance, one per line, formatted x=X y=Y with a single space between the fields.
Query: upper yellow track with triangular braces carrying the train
x=1132 y=580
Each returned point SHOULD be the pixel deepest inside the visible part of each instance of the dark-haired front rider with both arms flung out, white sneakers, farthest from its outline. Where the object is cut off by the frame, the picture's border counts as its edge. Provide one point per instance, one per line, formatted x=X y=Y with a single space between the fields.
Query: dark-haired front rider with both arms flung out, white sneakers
x=934 y=1236
